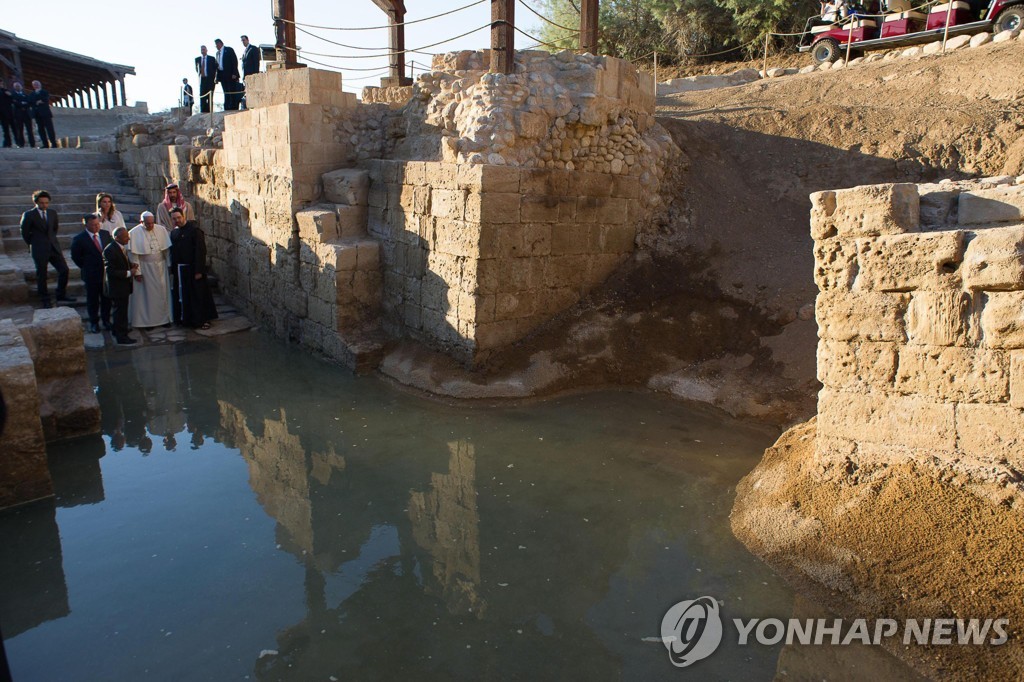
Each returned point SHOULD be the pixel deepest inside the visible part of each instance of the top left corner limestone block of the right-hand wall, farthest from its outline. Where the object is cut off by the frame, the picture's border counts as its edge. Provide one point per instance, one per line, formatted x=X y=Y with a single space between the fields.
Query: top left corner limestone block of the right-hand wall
x=866 y=211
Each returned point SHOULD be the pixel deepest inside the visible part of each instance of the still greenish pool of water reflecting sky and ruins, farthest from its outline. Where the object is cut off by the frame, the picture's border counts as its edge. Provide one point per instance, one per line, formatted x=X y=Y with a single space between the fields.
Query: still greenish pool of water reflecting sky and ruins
x=251 y=513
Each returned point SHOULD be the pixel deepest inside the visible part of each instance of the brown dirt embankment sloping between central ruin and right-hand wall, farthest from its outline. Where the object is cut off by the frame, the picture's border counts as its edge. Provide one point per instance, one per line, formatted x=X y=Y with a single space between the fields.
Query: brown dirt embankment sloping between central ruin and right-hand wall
x=718 y=305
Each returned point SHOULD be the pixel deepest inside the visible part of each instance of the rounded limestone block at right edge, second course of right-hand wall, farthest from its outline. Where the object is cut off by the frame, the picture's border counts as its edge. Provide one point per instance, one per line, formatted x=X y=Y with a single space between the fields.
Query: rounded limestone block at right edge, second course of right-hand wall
x=995 y=260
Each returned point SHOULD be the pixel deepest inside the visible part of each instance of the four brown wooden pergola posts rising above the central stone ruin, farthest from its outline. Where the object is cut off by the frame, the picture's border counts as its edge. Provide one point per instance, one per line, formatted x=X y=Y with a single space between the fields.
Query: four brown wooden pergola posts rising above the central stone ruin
x=502 y=35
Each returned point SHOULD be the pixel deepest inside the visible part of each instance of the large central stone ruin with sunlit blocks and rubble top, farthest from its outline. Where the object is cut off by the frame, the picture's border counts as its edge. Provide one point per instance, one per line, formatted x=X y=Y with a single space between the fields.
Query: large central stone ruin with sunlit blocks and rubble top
x=465 y=220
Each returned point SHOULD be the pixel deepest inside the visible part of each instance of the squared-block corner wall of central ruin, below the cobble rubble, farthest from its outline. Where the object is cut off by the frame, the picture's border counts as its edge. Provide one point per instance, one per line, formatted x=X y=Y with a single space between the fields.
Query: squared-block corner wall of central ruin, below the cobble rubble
x=478 y=257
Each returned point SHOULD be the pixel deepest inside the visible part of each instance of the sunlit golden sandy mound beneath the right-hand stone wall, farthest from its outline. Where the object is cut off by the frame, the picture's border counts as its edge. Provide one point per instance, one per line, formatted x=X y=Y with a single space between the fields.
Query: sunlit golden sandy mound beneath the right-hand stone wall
x=899 y=542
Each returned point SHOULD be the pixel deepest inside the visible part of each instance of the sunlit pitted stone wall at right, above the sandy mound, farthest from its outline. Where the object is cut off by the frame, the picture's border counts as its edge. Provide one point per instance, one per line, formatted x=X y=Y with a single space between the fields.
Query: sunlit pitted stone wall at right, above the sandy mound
x=921 y=317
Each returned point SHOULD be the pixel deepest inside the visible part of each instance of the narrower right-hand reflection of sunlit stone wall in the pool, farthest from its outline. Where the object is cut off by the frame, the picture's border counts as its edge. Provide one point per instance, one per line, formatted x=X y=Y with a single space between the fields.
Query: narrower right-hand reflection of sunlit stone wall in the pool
x=447 y=525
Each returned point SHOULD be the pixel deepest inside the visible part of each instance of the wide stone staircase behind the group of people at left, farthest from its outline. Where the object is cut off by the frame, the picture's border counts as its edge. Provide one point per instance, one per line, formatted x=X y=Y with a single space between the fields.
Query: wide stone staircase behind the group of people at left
x=73 y=178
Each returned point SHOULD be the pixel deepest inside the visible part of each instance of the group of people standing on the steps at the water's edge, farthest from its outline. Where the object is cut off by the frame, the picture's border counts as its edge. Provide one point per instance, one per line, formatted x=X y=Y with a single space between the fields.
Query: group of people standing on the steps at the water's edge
x=151 y=276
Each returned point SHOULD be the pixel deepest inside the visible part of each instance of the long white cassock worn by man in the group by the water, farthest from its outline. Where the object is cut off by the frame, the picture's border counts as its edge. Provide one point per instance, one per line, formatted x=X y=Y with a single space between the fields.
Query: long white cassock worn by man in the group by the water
x=150 y=305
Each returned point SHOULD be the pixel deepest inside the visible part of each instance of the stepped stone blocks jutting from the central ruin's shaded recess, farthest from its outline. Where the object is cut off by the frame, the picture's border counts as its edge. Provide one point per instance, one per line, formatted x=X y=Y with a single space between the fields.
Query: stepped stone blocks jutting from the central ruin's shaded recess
x=342 y=272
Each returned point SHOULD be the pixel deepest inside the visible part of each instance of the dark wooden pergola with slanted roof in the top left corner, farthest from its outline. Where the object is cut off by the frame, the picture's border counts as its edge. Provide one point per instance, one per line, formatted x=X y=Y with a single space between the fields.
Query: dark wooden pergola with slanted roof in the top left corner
x=72 y=80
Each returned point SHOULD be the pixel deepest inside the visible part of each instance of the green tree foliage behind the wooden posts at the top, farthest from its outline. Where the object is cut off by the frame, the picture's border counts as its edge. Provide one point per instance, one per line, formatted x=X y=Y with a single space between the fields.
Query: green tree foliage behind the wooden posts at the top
x=679 y=30
